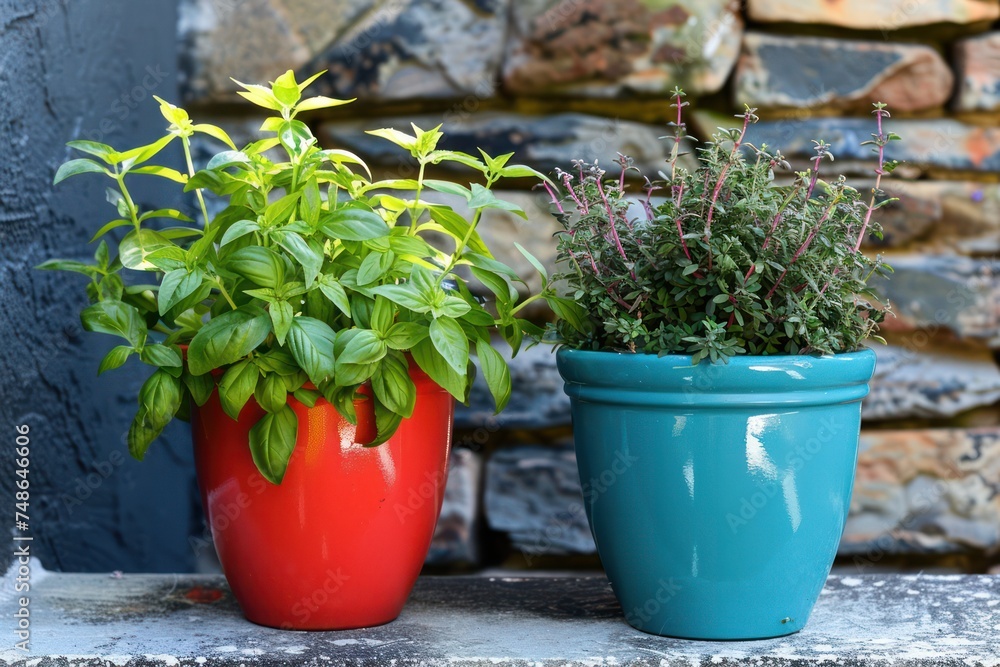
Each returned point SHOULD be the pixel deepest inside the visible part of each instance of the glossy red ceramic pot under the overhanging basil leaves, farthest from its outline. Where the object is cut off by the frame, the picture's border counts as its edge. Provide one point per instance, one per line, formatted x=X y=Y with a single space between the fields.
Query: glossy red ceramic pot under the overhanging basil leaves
x=340 y=542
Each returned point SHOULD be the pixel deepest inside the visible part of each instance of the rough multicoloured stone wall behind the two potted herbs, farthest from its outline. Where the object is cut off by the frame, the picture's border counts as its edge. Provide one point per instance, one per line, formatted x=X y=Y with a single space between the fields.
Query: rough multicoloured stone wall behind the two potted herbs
x=555 y=80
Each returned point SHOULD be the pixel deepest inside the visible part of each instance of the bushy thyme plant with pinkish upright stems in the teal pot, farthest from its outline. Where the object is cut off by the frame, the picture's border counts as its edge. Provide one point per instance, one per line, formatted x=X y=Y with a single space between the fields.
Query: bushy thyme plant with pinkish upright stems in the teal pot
x=729 y=262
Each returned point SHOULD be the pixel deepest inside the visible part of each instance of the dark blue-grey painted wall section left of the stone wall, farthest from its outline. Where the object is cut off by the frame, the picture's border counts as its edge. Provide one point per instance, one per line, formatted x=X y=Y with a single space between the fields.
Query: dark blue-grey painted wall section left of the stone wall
x=72 y=69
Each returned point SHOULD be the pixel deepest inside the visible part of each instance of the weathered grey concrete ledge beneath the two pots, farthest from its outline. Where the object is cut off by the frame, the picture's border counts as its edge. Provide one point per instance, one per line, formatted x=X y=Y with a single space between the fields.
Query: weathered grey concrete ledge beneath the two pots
x=900 y=620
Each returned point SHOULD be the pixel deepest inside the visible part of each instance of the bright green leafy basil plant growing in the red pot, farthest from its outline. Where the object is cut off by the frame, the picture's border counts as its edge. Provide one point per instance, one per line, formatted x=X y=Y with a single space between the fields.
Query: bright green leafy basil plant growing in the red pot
x=312 y=280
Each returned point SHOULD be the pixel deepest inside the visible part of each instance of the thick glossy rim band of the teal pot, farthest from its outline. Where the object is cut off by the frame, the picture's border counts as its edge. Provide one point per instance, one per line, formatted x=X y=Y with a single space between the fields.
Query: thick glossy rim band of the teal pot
x=630 y=379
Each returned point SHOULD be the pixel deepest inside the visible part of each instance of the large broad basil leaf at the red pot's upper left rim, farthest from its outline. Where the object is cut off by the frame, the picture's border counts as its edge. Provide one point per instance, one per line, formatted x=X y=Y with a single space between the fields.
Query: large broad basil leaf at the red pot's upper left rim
x=228 y=338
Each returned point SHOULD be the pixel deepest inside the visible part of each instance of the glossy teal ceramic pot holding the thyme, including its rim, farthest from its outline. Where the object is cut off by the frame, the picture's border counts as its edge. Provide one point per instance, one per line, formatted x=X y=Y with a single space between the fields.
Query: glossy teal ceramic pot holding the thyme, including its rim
x=717 y=494
